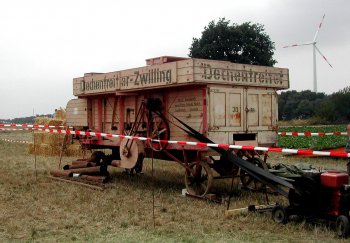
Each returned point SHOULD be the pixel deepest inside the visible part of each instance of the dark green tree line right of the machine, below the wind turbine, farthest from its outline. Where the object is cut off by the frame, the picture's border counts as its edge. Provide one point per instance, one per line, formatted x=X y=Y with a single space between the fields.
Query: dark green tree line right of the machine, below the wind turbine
x=333 y=108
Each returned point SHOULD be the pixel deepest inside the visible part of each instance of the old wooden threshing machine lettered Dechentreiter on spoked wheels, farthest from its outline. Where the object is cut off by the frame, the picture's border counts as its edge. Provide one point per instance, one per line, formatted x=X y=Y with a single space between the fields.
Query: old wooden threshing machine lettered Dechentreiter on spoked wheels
x=228 y=103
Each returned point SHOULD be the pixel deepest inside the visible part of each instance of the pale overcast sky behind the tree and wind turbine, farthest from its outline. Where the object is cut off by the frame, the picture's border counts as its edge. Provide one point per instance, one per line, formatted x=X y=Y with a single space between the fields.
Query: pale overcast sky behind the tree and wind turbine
x=45 y=44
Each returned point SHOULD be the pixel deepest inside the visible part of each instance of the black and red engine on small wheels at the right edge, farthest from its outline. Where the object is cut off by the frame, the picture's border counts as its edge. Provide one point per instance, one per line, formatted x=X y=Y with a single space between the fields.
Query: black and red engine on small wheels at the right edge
x=319 y=196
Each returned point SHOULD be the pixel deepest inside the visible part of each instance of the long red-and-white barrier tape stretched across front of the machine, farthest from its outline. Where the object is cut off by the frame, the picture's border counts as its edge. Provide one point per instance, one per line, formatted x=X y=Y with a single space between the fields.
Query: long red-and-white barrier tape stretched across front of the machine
x=200 y=144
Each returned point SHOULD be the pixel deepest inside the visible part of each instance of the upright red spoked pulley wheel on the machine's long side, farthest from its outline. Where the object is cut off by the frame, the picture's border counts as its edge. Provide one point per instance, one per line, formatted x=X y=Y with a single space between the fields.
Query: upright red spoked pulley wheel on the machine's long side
x=158 y=129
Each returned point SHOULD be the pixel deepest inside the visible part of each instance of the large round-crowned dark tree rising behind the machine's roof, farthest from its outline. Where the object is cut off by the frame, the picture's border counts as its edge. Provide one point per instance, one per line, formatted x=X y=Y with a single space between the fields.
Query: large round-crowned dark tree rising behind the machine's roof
x=246 y=43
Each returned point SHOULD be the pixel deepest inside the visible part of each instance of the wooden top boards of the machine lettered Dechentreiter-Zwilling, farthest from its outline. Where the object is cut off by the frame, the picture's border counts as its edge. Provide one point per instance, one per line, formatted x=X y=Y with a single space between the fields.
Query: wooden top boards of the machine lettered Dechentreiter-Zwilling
x=170 y=71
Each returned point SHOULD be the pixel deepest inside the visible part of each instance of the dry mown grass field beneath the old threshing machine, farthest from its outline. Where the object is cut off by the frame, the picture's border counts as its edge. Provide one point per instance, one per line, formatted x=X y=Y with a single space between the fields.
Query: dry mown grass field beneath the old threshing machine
x=35 y=208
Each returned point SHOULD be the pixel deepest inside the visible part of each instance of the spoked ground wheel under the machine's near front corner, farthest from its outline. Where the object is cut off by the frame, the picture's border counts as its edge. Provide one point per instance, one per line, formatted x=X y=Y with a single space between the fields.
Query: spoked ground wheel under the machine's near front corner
x=199 y=181
